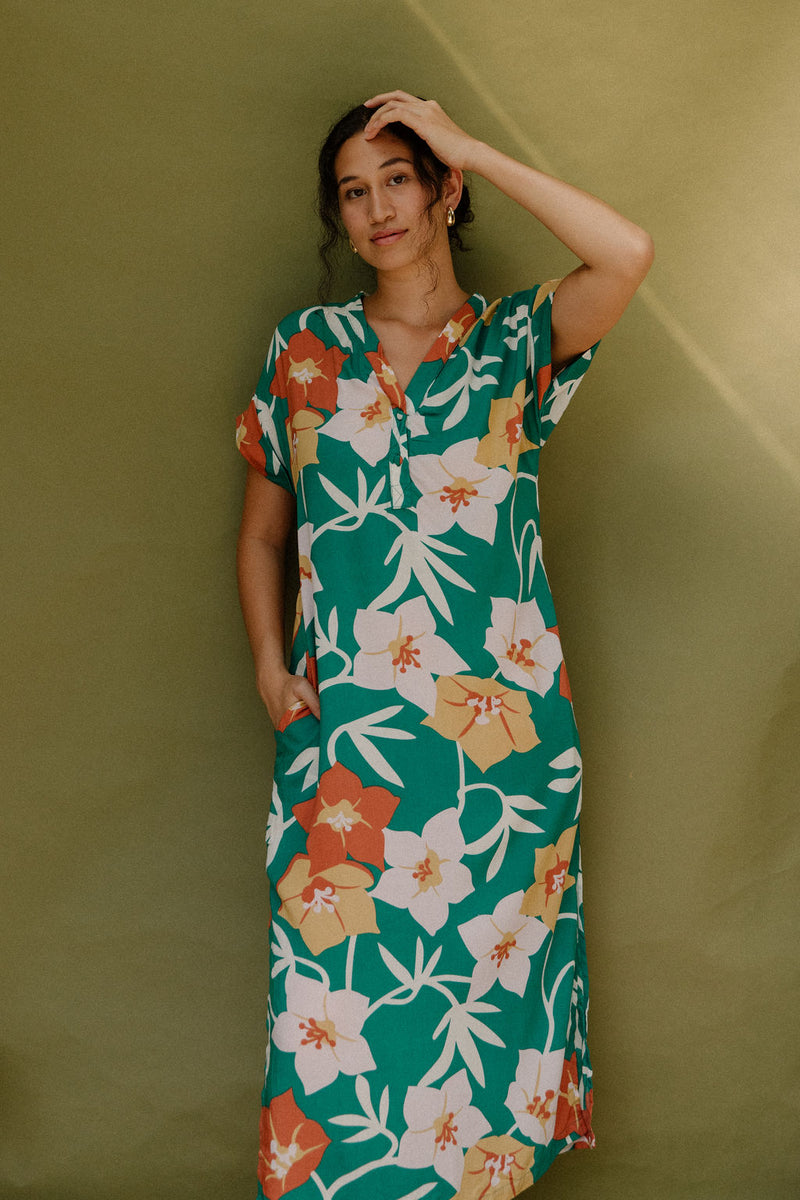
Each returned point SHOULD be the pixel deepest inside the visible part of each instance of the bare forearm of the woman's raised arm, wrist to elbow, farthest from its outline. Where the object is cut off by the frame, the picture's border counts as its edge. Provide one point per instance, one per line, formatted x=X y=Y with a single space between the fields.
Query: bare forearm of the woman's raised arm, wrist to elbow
x=600 y=237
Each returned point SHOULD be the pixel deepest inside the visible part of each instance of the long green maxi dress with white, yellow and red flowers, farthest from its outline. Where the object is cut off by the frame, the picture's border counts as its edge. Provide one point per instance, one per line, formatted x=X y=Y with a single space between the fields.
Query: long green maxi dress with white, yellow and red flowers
x=428 y=1013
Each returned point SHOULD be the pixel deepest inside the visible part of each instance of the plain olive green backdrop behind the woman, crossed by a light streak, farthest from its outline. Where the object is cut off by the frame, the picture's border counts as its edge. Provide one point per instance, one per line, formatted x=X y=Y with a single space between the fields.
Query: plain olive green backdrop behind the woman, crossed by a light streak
x=158 y=223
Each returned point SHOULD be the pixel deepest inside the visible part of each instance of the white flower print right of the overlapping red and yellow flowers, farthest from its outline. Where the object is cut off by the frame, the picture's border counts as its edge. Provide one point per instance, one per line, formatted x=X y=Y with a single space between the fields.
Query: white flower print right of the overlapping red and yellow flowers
x=426 y=874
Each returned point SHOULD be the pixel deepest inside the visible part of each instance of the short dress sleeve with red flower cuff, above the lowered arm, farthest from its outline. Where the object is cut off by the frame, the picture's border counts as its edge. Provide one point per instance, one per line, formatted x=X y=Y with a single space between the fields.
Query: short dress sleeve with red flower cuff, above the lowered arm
x=262 y=430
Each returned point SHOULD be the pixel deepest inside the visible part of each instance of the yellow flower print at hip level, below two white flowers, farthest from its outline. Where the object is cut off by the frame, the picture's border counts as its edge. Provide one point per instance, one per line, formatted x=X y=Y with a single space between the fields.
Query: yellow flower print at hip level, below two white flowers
x=485 y=717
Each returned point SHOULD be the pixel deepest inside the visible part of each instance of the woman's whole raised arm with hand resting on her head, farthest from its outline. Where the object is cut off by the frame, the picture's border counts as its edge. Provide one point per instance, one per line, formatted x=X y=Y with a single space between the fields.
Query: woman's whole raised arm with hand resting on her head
x=616 y=254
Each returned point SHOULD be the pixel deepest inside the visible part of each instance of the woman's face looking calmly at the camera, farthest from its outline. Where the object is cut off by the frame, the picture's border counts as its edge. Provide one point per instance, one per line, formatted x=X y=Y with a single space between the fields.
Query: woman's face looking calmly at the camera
x=383 y=203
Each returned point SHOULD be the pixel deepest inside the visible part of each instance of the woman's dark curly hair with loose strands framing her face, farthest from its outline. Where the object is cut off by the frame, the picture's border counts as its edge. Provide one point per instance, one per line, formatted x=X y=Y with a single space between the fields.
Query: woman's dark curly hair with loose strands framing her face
x=432 y=173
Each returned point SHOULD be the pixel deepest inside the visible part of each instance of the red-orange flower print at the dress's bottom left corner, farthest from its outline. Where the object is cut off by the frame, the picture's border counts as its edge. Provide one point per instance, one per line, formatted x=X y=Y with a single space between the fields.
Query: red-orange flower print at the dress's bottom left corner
x=292 y=1147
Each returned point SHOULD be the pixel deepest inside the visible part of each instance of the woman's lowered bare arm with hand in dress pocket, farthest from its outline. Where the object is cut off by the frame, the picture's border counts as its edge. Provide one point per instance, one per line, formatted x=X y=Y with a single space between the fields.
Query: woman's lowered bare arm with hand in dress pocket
x=267 y=521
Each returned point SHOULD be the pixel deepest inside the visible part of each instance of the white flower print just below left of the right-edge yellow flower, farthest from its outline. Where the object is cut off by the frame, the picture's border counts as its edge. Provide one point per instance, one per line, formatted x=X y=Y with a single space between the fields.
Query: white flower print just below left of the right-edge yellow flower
x=503 y=945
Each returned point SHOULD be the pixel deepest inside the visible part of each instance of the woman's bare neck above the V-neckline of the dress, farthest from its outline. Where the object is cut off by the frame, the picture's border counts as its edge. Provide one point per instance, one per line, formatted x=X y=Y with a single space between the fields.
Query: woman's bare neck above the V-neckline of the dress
x=408 y=298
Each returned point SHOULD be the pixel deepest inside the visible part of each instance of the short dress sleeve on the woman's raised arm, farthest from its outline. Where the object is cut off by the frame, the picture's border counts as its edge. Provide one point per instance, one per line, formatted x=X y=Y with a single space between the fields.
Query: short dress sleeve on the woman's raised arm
x=552 y=394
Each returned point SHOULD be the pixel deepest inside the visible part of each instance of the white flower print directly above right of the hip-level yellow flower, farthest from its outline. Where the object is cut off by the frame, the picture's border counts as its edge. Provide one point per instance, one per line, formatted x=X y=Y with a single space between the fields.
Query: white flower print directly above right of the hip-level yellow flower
x=527 y=653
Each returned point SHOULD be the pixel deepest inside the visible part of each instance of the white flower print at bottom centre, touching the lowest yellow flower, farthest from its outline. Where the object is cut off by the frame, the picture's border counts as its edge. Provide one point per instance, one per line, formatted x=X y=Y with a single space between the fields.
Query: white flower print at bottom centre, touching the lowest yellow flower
x=442 y=1124
